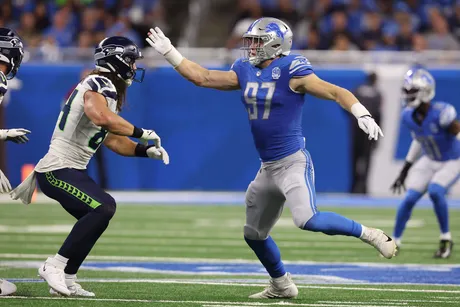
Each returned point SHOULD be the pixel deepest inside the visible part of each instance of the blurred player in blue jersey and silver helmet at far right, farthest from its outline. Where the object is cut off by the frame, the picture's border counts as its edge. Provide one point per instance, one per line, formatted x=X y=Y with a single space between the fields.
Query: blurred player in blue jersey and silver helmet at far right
x=436 y=134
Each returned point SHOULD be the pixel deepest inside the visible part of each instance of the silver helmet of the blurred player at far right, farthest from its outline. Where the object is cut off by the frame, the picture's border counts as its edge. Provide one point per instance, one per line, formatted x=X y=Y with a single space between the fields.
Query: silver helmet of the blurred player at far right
x=419 y=87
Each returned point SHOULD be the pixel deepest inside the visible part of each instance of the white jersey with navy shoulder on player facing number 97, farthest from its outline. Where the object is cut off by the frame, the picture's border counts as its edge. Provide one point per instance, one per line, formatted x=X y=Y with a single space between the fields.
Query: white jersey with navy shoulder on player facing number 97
x=76 y=138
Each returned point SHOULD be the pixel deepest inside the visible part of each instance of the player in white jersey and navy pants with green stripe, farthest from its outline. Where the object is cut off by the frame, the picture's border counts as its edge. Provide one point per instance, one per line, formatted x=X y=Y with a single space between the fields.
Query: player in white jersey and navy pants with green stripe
x=88 y=119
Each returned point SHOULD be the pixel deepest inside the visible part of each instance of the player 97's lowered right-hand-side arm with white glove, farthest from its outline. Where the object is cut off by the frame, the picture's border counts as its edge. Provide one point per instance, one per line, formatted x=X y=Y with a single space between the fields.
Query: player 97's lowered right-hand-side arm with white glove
x=315 y=86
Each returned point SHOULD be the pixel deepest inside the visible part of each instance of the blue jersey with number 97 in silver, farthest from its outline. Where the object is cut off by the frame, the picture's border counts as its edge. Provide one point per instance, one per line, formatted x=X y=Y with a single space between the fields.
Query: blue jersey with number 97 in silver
x=274 y=109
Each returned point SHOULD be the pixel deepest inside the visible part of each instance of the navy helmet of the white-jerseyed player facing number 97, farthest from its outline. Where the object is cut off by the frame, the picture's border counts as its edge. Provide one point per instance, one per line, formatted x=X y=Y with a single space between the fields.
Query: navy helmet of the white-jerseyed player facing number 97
x=118 y=54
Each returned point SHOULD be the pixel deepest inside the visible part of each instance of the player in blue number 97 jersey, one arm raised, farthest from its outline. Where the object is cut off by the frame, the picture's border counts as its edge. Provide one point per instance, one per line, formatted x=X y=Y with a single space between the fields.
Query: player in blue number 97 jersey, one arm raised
x=273 y=84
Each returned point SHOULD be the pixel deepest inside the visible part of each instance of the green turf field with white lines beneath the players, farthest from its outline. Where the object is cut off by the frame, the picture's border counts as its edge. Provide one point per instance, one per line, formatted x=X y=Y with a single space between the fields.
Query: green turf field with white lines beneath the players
x=144 y=234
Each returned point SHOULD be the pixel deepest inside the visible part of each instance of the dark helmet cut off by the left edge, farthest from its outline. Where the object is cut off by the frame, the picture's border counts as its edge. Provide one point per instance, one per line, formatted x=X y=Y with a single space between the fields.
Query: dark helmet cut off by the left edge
x=11 y=51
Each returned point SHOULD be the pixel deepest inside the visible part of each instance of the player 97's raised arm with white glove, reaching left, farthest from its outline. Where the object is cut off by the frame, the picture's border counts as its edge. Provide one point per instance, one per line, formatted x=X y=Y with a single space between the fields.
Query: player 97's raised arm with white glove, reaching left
x=200 y=76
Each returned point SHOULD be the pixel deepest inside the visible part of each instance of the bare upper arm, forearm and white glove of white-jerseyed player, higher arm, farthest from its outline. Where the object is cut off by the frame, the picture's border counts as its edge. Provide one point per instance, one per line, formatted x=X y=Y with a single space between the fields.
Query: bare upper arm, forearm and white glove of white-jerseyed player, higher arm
x=96 y=109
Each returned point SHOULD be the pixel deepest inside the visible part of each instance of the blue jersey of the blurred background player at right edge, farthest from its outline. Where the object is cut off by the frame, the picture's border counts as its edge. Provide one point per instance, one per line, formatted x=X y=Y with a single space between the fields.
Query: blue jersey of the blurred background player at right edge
x=437 y=142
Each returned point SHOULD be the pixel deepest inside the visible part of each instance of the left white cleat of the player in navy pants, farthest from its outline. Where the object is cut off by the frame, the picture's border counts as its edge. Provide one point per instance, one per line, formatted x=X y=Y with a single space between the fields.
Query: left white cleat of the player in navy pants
x=52 y=271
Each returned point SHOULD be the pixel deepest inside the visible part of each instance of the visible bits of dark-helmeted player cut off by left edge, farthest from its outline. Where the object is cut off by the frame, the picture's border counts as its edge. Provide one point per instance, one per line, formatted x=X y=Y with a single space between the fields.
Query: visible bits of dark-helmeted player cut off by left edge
x=11 y=53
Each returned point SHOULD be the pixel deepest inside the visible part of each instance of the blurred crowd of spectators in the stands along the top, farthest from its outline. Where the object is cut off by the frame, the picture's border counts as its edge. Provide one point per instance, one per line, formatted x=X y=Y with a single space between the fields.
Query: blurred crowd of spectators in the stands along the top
x=317 y=24
